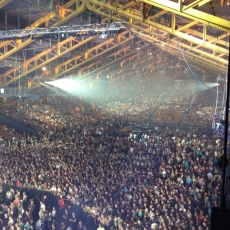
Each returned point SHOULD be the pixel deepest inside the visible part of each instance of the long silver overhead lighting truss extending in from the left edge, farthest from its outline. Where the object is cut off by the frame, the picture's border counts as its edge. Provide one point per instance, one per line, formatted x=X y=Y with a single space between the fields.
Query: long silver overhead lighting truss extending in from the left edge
x=62 y=31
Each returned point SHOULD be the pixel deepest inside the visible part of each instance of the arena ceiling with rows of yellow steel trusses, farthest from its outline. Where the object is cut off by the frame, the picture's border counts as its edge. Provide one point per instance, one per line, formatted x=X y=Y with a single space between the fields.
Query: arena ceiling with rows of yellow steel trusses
x=158 y=34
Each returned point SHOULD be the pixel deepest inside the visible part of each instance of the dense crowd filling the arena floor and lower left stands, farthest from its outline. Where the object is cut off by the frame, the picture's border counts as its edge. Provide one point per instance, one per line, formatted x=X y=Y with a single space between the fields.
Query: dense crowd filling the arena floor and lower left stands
x=77 y=173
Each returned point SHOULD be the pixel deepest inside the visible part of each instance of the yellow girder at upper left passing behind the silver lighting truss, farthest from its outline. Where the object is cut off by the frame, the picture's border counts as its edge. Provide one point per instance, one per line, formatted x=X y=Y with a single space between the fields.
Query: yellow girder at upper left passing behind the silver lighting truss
x=8 y=48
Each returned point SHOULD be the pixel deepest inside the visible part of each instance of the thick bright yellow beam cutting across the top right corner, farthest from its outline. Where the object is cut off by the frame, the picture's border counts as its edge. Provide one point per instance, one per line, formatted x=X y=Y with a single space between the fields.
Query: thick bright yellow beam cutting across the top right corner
x=193 y=14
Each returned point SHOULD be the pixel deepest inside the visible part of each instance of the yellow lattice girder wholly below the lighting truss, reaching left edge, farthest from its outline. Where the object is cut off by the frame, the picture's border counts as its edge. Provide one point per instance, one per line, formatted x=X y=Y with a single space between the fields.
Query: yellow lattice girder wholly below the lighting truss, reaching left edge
x=44 y=58
